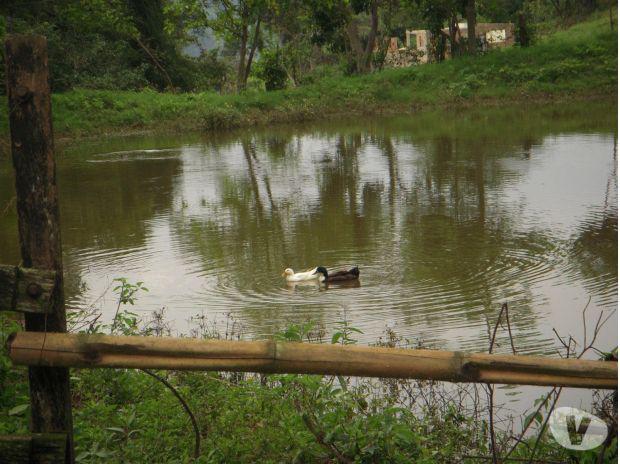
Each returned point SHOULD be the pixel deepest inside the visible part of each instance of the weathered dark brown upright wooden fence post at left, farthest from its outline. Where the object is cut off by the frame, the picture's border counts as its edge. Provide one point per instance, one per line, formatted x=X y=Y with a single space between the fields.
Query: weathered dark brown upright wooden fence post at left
x=38 y=219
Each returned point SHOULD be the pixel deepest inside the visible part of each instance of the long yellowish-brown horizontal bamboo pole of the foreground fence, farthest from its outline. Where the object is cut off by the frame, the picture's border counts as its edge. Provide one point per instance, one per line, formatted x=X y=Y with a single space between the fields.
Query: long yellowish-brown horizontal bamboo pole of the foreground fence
x=269 y=356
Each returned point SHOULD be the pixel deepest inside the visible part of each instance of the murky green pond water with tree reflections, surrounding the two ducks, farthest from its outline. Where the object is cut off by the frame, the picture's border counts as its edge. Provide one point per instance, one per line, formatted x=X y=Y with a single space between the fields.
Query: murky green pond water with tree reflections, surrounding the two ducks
x=447 y=214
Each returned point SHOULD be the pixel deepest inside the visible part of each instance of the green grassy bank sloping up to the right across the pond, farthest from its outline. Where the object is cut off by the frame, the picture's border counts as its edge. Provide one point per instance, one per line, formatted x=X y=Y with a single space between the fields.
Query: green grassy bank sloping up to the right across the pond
x=580 y=62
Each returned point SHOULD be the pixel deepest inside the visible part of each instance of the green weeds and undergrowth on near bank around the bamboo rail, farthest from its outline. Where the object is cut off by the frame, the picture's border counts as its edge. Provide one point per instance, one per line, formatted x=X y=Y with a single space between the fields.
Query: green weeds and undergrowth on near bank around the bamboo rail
x=128 y=416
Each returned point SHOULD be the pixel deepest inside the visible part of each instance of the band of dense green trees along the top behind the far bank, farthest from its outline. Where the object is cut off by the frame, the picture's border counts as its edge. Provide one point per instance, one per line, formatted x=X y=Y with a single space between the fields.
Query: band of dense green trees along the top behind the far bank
x=137 y=44
